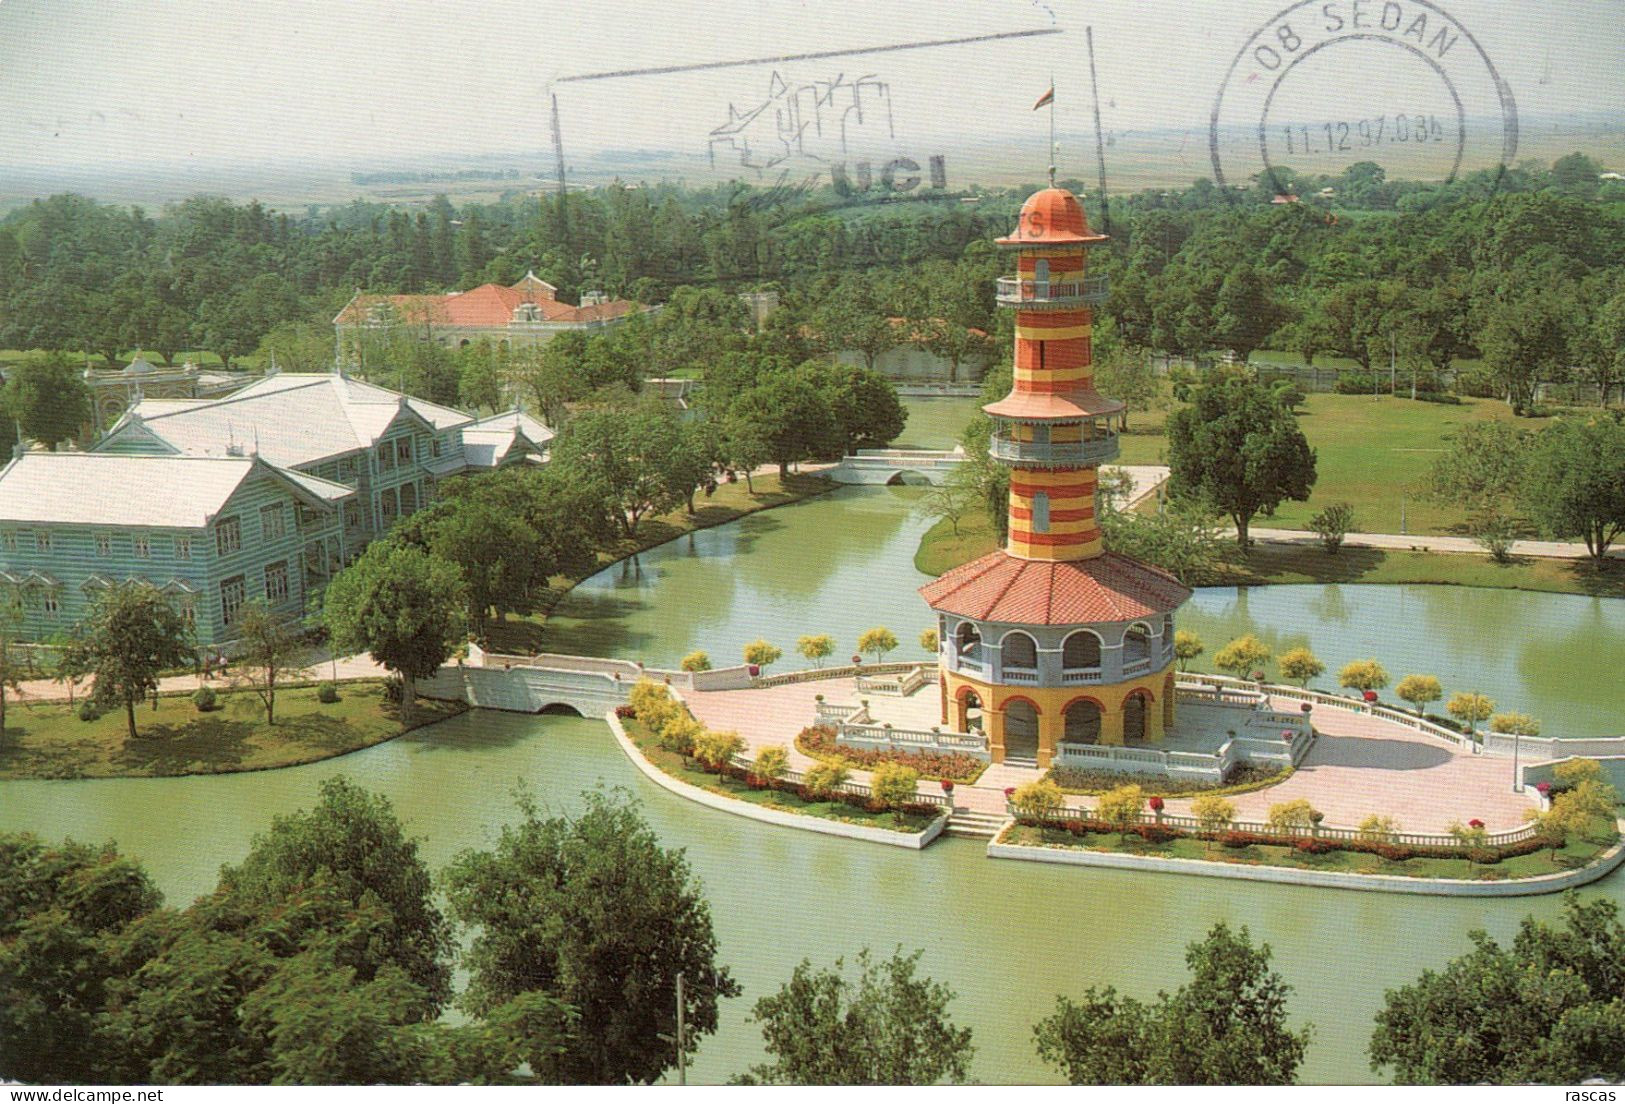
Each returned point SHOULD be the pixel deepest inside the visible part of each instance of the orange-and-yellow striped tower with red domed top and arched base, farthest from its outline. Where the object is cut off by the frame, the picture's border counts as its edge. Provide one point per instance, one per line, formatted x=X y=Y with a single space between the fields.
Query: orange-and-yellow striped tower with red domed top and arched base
x=1054 y=640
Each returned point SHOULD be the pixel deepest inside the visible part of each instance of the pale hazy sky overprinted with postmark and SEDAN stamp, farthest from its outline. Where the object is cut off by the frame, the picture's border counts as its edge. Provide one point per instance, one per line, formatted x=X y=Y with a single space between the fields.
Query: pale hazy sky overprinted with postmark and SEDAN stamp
x=388 y=80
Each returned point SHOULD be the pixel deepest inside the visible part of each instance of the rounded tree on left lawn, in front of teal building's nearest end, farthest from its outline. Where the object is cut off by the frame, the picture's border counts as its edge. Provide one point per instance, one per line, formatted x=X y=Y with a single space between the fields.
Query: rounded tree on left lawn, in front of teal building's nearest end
x=131 y=637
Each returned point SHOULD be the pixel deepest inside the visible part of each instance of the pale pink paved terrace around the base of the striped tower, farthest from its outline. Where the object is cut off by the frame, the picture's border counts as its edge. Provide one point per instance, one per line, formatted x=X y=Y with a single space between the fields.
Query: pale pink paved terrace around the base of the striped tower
x=1359 y=765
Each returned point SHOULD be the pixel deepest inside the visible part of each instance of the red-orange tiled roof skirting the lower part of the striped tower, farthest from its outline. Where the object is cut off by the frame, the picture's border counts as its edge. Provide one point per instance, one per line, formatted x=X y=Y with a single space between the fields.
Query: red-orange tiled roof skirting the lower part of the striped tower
x=1010 y=589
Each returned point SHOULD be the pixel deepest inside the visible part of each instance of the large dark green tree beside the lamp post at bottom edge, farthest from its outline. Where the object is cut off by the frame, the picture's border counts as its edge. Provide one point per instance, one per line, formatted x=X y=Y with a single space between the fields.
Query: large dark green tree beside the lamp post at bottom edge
x=592 y=911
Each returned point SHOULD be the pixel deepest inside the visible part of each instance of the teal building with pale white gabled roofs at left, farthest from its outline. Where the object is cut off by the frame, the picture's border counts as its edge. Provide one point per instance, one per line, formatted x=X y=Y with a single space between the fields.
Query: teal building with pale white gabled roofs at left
x=262 y=495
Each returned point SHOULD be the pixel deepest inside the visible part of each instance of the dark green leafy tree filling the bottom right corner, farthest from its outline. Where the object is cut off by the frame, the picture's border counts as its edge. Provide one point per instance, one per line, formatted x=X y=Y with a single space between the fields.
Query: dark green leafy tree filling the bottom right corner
x=1545 y=1011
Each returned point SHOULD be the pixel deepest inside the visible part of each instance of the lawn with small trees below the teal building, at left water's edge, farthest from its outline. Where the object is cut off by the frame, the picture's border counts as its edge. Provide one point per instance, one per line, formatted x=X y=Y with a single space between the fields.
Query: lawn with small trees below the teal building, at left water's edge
x=50 y=741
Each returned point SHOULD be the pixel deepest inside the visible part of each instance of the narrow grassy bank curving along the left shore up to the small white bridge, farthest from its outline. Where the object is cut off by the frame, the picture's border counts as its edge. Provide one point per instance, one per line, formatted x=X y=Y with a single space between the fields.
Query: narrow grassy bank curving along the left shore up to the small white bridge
x=527 y=635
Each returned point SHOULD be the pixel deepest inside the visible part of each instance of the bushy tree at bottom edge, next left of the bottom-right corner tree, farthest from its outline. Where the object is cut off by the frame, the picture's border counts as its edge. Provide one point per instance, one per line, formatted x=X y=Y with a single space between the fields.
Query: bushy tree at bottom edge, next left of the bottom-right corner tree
x=1226 y=1027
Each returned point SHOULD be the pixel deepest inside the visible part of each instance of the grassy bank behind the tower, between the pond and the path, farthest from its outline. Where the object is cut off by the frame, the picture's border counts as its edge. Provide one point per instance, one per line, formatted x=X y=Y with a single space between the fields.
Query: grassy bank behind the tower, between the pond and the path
x=1265 y=563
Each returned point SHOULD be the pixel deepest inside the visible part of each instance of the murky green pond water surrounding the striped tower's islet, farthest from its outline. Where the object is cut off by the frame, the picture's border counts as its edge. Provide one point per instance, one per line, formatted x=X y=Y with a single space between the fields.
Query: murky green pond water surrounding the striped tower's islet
x=1005 y=936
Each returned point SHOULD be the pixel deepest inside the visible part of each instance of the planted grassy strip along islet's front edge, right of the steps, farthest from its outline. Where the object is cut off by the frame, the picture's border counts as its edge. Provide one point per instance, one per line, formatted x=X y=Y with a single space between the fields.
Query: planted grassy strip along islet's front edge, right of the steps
x=1574 y=854
